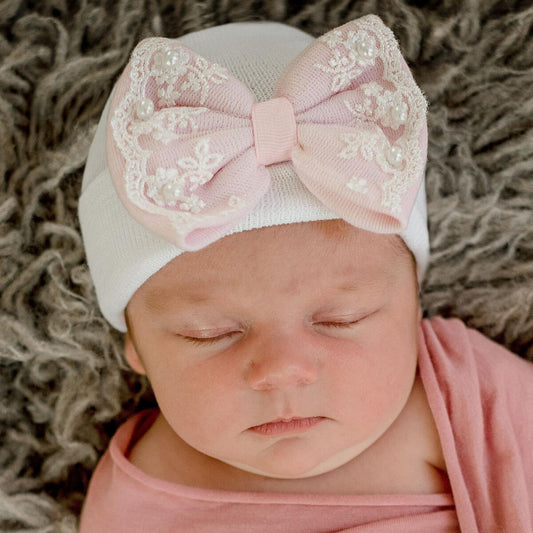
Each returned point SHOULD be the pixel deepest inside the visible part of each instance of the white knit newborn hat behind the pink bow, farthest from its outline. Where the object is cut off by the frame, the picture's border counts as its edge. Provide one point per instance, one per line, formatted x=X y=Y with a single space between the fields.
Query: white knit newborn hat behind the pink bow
x=122 y=253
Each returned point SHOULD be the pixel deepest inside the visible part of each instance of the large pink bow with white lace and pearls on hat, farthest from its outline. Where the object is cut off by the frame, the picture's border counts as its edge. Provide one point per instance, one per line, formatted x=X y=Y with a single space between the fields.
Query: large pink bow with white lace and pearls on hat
x=190 y=146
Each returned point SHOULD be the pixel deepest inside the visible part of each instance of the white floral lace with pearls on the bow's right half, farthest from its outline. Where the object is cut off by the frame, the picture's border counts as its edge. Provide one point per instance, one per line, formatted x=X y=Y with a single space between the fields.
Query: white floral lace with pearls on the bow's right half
x=393 y=102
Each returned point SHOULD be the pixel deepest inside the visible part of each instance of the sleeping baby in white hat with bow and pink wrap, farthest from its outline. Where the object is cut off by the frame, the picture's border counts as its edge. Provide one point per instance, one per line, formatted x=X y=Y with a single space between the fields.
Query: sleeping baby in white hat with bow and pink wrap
x=253 y=210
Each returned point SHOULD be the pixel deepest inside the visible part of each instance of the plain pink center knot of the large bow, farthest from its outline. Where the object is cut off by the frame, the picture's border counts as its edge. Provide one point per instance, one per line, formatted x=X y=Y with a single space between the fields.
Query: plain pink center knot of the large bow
x=274 y=128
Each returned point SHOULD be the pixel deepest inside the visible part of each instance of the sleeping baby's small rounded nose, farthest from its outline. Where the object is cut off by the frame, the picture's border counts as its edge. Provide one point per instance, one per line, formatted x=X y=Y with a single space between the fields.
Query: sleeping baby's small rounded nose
x=282 y=363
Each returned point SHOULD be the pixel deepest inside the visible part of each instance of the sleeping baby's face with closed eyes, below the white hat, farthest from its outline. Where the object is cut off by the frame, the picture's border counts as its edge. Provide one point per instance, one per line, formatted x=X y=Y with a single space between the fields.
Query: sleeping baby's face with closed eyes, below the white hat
x=316 y=321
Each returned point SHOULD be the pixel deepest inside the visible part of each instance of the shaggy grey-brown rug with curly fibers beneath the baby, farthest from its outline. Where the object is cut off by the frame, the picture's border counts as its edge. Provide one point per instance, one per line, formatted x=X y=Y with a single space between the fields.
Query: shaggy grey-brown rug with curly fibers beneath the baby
x=64 y=385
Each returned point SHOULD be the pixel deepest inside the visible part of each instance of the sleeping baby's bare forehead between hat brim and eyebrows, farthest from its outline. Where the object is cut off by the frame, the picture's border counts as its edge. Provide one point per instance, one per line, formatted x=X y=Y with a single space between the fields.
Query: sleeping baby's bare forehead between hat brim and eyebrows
x=306 y=256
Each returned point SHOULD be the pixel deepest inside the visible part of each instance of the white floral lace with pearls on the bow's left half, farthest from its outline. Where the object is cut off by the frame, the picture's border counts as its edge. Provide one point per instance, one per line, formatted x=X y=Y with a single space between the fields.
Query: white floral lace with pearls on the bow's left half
x=168 y=191
